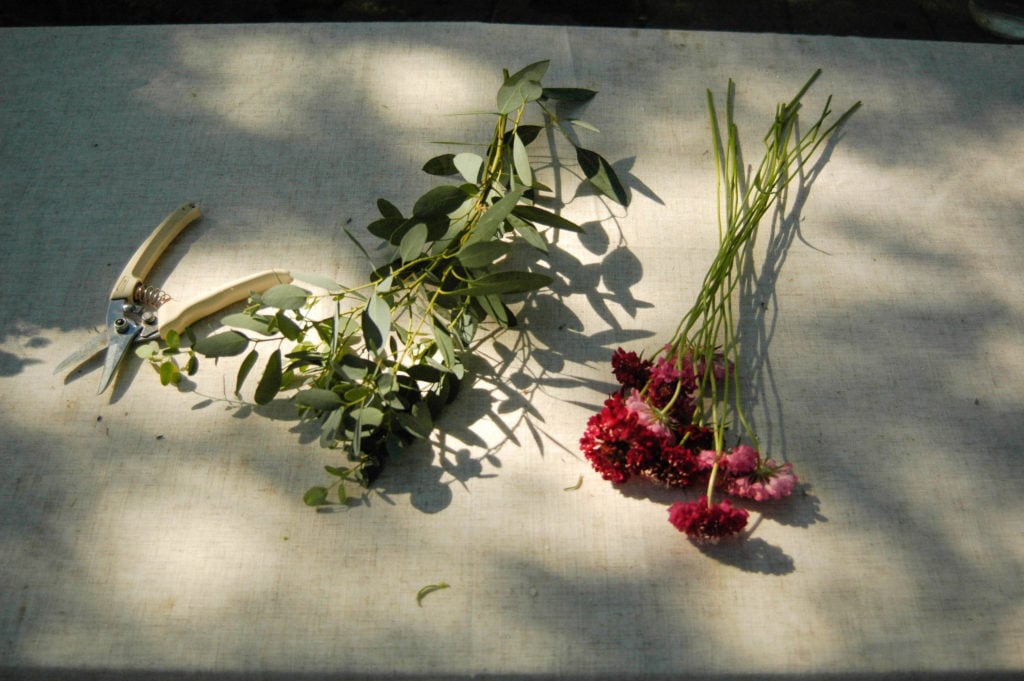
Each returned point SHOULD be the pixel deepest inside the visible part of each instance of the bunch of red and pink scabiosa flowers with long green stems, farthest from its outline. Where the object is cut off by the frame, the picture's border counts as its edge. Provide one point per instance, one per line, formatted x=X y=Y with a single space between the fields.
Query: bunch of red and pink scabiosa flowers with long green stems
x=668 y=420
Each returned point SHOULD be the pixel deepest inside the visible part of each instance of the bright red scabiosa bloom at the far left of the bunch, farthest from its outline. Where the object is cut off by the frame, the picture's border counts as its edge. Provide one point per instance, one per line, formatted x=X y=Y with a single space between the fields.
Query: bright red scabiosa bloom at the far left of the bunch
x=615 y=441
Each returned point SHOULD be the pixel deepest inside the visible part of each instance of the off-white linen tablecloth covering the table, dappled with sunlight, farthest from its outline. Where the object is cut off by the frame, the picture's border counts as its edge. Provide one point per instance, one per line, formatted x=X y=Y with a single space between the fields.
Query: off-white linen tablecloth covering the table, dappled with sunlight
x=150 y=531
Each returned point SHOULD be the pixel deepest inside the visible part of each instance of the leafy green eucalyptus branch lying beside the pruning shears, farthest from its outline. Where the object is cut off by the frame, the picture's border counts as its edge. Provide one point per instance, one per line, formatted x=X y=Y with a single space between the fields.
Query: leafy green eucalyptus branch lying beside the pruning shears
x=375 y=375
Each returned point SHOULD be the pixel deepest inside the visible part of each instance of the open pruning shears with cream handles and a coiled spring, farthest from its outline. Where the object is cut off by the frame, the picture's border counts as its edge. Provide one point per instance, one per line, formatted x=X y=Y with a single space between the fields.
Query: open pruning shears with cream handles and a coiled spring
x=140 y=313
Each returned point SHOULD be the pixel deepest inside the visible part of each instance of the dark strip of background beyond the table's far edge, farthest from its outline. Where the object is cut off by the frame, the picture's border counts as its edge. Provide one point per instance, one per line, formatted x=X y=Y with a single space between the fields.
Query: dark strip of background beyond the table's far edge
x=917 y=20
